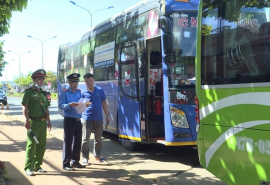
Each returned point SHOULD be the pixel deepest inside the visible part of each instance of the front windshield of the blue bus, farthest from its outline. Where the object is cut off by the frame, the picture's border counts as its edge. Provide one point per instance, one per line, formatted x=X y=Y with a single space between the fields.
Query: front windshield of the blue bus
x=182 y=72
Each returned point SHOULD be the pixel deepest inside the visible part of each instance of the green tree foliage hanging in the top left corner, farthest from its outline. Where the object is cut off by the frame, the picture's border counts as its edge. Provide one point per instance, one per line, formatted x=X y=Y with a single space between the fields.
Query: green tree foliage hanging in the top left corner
x=6 y=7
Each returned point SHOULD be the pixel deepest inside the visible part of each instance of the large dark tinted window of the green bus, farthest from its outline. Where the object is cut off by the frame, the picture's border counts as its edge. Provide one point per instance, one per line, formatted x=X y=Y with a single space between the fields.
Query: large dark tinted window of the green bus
x=235 y=44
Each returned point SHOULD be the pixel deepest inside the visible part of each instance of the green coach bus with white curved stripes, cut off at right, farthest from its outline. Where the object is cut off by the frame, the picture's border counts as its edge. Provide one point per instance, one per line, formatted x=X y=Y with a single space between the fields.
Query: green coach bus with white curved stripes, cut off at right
x=233 y=90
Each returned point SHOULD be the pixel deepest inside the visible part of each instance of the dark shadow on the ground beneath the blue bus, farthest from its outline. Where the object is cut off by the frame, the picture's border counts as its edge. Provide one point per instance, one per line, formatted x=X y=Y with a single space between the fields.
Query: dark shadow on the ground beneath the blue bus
x=158 y=152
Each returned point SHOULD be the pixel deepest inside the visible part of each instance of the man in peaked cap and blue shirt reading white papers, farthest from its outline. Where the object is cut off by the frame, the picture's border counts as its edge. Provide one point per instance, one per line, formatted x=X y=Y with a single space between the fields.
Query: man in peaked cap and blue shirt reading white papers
x=72 y=124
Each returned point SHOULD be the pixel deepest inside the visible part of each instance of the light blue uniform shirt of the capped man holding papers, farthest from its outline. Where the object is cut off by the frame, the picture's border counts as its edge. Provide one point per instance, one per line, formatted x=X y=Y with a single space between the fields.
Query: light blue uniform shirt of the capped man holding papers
x=67 y=97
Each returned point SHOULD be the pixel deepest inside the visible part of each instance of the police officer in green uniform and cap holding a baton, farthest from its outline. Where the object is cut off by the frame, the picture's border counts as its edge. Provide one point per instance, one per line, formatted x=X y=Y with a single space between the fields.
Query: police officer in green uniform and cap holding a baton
x=35 y=110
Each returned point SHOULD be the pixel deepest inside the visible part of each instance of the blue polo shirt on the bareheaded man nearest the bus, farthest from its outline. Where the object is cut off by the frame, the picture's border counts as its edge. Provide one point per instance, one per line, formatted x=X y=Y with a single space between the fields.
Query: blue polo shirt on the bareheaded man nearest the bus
x=94 y=111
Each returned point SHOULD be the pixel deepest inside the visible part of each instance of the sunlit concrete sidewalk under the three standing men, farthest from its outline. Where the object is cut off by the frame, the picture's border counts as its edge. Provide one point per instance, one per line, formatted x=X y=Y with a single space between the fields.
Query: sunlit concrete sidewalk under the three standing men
x=12 y=152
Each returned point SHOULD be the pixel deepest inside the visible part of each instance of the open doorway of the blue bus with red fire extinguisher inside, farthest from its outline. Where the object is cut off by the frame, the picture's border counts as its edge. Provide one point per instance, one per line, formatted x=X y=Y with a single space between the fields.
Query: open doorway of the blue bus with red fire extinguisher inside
x=154 y=92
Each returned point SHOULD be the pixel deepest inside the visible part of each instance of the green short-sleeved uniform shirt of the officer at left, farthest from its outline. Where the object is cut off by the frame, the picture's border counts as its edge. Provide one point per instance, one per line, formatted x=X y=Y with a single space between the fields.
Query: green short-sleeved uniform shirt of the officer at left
x=32 y=98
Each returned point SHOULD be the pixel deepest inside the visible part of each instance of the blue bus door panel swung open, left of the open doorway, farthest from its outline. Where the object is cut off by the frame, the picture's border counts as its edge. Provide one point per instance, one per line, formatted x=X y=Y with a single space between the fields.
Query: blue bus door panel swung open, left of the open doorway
x=128 y=99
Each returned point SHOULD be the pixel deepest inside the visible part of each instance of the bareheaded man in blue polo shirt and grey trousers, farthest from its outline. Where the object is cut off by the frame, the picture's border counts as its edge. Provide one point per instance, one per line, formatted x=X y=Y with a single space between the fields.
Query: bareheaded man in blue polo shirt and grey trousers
x=93 y=119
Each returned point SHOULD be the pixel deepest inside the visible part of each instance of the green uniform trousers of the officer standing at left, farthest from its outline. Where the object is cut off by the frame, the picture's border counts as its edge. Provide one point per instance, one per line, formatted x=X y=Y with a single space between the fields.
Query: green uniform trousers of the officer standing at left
x=35 y=152
